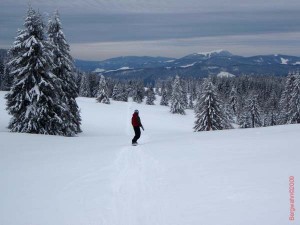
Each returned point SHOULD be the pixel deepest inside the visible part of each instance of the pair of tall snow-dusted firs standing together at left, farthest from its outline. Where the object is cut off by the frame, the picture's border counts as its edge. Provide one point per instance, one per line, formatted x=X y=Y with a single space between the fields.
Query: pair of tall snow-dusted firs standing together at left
x=42 y=95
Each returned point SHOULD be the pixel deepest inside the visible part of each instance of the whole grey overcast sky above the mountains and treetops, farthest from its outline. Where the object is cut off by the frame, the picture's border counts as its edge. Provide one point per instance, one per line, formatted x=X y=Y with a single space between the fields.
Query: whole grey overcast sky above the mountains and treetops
x=100 y=29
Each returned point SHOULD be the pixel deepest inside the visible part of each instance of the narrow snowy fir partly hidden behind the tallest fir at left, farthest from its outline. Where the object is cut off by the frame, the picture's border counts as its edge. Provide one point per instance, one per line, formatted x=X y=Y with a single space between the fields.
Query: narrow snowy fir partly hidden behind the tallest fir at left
x=64 y=69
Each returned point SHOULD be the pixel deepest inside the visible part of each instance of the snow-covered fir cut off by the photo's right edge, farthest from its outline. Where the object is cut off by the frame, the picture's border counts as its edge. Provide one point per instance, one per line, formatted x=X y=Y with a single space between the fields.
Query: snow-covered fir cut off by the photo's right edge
x=294 y=104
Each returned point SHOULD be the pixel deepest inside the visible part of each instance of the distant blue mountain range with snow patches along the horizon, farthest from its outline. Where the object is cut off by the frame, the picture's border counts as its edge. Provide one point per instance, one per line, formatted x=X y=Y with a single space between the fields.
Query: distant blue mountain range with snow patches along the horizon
x=197 y=65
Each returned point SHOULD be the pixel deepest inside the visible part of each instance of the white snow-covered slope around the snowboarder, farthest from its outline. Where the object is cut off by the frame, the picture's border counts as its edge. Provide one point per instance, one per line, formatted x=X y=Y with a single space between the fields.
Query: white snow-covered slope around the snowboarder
x=174 y=177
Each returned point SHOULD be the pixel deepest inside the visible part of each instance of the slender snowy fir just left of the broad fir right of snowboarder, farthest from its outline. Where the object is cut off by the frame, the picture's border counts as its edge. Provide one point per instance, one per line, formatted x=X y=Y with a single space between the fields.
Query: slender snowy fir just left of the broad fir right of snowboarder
x=177 y=99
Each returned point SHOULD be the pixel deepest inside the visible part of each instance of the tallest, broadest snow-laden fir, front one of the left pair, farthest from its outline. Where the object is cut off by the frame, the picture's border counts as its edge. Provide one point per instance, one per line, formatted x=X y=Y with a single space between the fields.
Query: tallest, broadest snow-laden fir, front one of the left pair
x=34 y=99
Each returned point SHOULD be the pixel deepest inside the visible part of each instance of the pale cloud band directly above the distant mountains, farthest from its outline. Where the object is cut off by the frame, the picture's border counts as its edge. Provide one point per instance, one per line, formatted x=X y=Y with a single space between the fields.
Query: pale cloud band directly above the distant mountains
x=273 y=43
